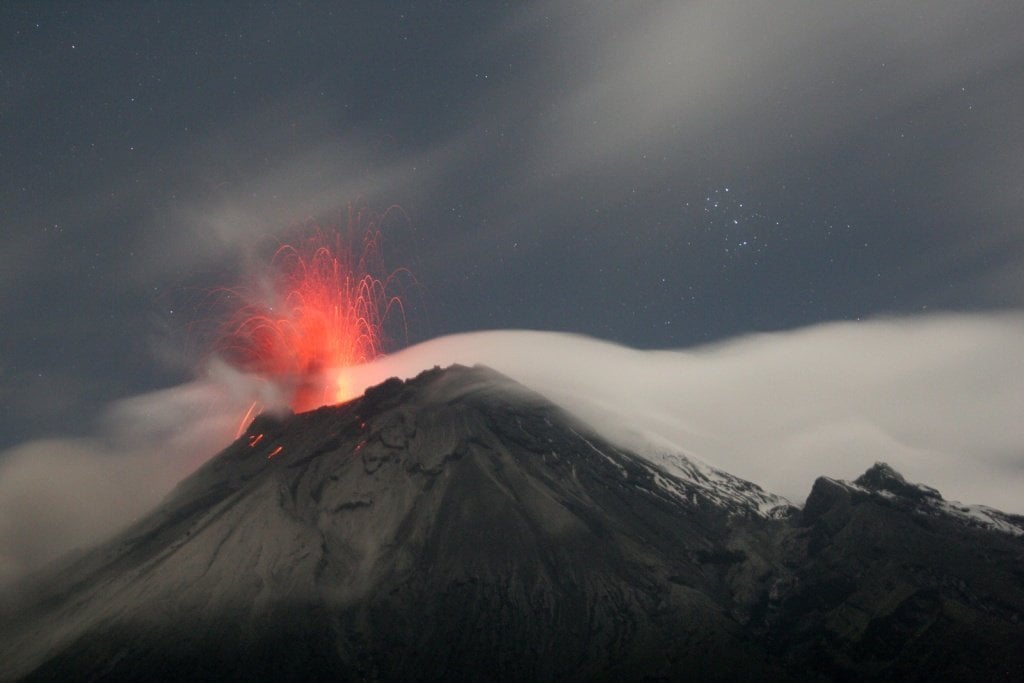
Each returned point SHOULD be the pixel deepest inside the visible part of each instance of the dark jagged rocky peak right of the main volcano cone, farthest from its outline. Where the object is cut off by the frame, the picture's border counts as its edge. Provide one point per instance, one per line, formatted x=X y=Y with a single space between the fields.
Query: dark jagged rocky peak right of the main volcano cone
x=893 y=586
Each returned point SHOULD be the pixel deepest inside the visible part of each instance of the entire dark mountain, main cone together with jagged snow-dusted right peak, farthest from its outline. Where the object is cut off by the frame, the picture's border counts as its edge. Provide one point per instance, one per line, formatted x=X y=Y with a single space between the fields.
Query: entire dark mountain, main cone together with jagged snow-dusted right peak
x=458 y=526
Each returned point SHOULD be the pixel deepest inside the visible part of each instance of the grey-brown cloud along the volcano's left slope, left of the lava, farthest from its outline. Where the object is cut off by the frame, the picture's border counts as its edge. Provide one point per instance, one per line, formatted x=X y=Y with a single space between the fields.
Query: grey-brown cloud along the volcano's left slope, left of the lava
x=63 y=494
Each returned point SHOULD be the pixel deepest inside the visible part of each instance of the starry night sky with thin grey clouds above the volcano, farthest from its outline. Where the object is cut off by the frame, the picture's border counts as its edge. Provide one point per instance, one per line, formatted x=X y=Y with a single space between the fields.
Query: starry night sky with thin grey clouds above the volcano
x=660 y=176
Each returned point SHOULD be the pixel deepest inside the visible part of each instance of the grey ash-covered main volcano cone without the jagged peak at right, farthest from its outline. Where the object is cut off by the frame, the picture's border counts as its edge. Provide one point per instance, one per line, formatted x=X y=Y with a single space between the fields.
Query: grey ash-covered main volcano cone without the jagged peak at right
x=455 y=526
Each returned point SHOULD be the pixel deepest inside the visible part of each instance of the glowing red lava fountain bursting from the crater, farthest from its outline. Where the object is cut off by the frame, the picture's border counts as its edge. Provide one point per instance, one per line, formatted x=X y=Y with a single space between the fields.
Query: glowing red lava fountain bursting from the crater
x=322 y=305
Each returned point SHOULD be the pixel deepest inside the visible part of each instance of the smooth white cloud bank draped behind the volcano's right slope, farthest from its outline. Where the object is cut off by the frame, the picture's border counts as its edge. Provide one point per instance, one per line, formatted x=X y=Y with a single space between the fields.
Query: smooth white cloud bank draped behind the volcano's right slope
x=942 y=399
